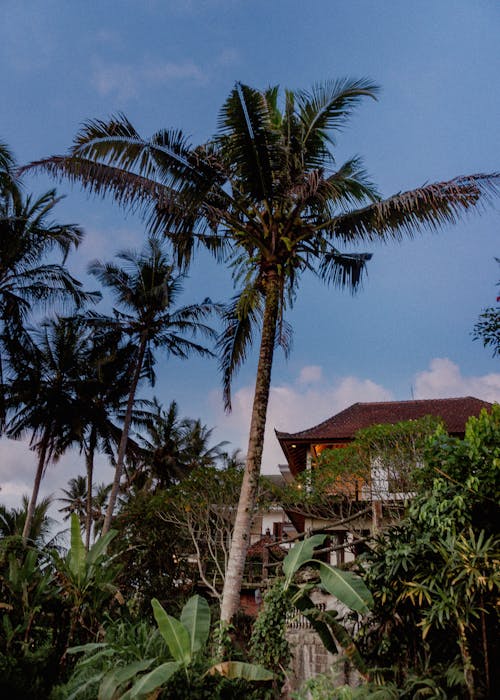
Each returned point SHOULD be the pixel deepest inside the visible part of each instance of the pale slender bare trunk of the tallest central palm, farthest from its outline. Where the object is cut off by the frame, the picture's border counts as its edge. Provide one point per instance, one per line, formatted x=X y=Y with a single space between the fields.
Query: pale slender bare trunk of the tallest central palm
x=241 y=533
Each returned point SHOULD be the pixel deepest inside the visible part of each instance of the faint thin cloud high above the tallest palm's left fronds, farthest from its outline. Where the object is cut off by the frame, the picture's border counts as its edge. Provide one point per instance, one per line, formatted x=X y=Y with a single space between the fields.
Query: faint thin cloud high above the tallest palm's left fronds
x=125 y=81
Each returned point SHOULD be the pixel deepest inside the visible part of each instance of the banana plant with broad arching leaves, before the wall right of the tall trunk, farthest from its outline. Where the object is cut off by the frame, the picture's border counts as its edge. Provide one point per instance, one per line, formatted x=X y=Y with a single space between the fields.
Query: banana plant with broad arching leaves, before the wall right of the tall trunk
x=346 y=586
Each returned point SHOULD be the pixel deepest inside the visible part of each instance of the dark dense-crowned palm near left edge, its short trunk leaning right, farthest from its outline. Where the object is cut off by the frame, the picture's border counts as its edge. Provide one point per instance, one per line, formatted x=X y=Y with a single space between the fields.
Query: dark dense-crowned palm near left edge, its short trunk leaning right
x=42 y=399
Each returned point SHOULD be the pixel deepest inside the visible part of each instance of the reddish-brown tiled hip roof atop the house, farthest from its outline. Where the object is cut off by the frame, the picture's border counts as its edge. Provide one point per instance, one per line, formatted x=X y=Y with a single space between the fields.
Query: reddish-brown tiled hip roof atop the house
x=343 y=425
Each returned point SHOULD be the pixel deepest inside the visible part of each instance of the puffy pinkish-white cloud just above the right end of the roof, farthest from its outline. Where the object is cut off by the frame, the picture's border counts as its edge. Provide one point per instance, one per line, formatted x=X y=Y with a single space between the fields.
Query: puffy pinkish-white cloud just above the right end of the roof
x=444 y=378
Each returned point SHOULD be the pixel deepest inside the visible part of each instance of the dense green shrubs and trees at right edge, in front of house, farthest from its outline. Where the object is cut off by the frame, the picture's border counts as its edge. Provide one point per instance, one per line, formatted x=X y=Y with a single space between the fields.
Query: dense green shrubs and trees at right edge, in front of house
x=434 y=576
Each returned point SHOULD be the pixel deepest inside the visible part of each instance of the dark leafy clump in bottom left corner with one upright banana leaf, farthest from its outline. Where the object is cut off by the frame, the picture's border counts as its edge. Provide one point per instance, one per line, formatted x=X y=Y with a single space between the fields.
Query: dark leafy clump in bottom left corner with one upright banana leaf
x=47 y=601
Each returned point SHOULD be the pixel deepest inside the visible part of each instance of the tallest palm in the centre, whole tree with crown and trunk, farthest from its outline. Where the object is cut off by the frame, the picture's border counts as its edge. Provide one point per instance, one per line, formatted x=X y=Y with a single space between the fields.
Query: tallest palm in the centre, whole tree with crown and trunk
x=265 y=195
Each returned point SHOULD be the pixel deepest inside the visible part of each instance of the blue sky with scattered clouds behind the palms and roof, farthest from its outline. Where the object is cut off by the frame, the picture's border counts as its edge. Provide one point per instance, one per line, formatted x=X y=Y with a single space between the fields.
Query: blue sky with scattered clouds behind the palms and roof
x=172 y=64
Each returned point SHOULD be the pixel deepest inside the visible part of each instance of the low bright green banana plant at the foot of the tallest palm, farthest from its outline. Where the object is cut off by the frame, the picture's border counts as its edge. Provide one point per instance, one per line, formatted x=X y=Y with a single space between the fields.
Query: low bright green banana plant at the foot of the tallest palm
x=186 y=640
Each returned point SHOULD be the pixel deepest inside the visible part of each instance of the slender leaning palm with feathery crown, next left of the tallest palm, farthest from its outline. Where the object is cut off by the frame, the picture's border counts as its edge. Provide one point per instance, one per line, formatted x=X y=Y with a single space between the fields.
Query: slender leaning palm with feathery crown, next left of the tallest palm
x=146 y=289
